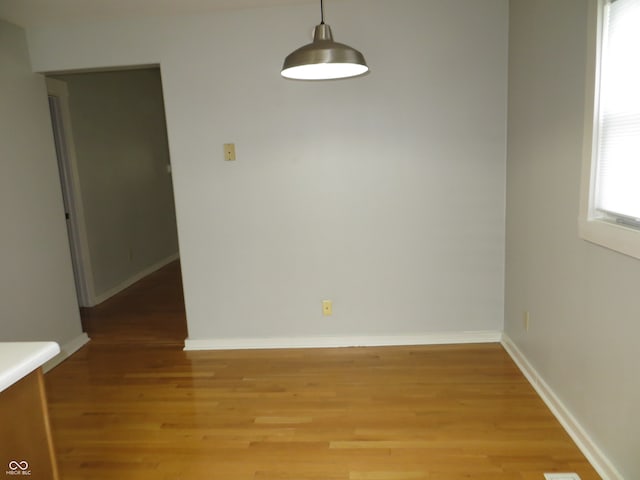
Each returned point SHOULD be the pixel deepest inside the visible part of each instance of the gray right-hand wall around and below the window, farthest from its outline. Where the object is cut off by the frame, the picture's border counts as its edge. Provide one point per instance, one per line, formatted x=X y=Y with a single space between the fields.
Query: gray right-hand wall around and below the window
x=582 y=298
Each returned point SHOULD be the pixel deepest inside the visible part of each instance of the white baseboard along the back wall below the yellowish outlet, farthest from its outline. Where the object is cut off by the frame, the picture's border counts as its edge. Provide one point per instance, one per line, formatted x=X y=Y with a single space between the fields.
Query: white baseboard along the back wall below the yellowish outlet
x=348 y=341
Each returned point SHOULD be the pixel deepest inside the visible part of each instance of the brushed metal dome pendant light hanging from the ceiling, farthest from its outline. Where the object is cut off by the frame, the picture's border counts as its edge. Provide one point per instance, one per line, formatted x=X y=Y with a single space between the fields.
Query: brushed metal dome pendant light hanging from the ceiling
x=324 y=59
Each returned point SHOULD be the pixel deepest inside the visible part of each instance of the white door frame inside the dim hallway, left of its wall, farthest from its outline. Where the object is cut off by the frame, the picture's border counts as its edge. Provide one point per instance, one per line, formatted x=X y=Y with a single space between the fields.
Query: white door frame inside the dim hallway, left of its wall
x=72 y=195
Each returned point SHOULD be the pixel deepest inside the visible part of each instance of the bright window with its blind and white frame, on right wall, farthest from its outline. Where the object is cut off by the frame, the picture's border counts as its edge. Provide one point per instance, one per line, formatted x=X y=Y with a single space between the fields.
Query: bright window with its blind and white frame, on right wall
x=610 y=213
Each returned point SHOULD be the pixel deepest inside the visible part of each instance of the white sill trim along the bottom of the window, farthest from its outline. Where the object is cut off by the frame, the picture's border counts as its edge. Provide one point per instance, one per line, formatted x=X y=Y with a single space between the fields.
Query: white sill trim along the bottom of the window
x=610 y=235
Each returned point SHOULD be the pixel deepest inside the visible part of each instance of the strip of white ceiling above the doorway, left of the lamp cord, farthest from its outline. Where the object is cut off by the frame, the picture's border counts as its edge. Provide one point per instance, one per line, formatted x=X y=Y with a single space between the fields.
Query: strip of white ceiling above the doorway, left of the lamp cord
x=28 y=13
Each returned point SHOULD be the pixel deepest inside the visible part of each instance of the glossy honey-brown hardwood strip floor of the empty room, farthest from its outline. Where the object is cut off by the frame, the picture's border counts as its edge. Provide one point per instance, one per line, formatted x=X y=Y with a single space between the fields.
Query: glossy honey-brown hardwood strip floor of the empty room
x=121 y=410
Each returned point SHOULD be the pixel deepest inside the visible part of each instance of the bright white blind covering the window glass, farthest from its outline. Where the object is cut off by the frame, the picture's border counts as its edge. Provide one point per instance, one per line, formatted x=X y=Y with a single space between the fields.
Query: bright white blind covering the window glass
x=617 y=179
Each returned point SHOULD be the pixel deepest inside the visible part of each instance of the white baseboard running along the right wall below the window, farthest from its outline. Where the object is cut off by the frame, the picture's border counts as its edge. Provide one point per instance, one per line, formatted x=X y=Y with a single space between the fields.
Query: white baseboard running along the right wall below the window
x=585 y=443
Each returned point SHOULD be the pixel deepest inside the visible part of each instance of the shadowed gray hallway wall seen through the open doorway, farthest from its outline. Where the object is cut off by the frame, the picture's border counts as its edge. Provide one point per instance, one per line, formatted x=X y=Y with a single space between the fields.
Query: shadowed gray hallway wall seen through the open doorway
x=122 y=158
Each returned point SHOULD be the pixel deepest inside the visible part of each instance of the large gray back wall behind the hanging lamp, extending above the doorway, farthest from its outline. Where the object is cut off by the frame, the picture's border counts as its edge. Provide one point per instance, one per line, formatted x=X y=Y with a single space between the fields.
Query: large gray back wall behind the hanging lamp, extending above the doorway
x=384 y=193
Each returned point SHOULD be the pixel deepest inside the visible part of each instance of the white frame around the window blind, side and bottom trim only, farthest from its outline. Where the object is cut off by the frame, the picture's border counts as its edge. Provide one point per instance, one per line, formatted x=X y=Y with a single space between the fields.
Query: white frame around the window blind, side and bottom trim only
x=595 y=226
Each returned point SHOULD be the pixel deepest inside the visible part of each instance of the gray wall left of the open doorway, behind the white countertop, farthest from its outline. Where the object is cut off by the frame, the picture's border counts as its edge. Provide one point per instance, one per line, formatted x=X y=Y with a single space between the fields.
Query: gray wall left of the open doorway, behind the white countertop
x=37 y=292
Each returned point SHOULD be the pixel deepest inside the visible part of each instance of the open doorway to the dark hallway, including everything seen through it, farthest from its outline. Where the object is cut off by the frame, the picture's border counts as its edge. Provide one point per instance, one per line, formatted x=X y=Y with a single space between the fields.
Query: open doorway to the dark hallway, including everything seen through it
x=115 y=172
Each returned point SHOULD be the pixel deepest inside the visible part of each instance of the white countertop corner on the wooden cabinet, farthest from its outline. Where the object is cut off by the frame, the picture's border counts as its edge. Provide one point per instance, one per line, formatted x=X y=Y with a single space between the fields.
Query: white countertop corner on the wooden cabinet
x=19 y=359
